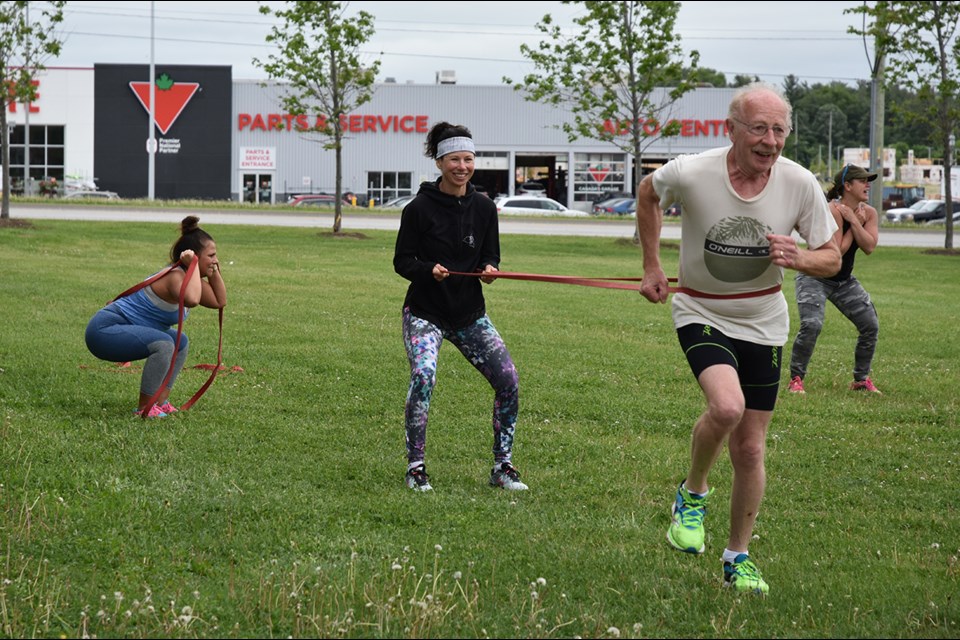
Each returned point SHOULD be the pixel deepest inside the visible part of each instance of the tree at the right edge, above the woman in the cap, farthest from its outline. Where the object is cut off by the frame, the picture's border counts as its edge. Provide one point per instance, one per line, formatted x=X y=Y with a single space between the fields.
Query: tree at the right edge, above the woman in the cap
x=919 y=40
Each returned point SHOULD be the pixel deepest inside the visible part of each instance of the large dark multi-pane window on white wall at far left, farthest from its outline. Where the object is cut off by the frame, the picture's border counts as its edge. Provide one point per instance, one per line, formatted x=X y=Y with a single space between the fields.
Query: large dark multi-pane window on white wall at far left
x=46 y=157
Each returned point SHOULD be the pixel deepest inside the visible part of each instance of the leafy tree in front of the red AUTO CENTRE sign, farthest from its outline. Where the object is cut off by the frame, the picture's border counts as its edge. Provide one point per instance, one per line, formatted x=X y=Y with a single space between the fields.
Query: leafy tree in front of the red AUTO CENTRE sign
x=610 y=75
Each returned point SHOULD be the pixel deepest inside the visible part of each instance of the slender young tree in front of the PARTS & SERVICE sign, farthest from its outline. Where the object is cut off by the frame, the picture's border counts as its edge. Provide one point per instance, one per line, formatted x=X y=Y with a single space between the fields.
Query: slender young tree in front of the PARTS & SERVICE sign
x=319 y=60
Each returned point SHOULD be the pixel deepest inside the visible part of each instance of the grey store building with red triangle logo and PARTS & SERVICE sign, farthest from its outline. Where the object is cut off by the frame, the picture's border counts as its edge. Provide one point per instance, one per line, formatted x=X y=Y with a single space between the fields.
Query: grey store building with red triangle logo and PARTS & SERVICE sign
x=217 y=138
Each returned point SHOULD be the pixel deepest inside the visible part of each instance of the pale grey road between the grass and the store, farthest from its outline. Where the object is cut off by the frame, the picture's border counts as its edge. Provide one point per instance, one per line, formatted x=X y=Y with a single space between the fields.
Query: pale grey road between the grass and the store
x=354 y=221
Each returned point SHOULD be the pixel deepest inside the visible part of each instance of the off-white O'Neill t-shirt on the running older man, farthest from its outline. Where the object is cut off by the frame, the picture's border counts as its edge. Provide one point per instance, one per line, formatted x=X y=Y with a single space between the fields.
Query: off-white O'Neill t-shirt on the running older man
x=724 y=249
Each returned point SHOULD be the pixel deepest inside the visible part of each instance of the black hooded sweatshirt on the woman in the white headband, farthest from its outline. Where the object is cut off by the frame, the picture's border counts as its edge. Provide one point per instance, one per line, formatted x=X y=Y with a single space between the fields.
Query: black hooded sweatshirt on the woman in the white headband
x=460 y=233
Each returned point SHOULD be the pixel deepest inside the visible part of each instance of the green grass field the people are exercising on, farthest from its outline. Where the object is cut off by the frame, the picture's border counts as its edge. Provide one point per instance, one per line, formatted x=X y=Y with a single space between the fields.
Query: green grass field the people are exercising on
x=276 y=506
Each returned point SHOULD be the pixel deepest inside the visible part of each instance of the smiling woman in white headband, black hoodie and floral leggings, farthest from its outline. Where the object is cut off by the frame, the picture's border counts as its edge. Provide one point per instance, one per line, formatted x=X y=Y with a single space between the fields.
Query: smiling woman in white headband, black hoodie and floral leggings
x=450 y=227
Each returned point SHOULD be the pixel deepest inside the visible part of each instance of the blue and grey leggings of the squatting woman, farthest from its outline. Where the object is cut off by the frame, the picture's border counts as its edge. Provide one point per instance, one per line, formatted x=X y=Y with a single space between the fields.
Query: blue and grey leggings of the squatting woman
x=111 y=337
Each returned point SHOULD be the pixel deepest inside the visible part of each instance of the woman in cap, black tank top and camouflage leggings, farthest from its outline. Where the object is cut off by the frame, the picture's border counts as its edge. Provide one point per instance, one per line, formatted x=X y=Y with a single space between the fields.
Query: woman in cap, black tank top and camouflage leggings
x=859 y=226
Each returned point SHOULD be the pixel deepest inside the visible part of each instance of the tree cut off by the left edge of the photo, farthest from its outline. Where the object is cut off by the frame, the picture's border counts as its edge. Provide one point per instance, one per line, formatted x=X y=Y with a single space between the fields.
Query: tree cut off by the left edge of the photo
x=25 y=43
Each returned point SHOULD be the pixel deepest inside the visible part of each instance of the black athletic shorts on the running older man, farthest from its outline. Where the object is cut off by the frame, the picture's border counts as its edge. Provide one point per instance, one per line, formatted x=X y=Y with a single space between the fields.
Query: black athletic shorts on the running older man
x=757 y=365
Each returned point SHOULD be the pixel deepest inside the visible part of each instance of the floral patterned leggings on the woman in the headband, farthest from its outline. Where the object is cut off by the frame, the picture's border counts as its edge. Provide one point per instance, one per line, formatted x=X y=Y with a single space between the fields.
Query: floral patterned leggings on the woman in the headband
x=482 y=346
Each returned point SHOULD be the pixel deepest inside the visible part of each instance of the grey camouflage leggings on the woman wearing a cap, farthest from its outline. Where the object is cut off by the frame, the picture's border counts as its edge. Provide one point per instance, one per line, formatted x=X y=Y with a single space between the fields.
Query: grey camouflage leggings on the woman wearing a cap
x=853 y=301
